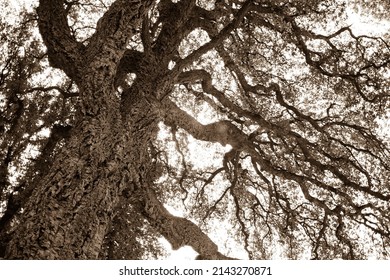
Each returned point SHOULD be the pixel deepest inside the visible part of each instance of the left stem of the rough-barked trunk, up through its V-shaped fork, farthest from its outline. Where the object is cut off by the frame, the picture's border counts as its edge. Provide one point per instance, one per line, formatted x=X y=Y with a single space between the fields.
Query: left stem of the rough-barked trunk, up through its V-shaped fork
x=68 y=213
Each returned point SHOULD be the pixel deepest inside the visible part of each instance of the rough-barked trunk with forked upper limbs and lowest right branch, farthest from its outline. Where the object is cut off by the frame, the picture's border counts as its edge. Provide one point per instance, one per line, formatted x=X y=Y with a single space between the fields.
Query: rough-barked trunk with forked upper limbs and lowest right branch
x=69 y=212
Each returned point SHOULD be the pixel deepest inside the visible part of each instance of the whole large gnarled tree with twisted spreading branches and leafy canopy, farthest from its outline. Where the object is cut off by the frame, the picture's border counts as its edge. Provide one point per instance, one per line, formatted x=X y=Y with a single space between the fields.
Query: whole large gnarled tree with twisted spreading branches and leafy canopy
x=92 y=154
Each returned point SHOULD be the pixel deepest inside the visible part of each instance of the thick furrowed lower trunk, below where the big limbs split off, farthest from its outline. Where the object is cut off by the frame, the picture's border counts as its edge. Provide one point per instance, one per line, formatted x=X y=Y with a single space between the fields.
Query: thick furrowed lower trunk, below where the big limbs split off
x=68 y=216
